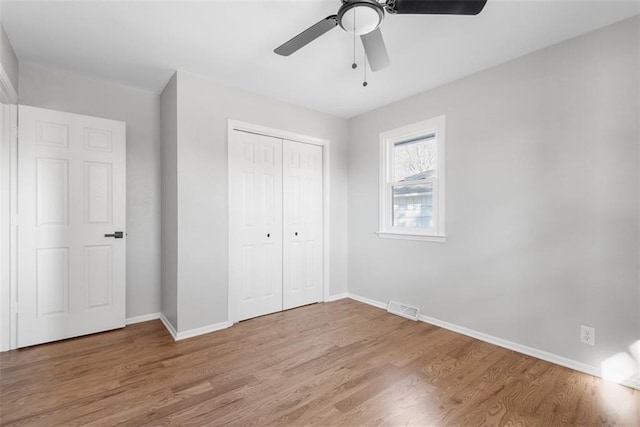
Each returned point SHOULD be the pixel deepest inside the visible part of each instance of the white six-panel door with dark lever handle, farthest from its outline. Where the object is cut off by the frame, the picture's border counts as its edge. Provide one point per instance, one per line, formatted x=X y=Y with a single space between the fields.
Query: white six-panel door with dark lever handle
x=71 y=196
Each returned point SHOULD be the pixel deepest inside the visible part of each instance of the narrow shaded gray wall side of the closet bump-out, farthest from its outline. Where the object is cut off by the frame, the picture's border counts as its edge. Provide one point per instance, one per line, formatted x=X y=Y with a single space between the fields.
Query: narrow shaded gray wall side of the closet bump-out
x=169 y=205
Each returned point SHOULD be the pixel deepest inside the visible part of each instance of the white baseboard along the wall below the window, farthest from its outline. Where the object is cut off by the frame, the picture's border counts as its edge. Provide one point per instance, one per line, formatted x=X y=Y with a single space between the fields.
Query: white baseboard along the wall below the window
x=523 y=349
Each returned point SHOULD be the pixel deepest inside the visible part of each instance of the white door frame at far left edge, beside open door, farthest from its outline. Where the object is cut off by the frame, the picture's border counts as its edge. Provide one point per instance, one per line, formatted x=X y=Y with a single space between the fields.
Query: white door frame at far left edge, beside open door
x=8 y=213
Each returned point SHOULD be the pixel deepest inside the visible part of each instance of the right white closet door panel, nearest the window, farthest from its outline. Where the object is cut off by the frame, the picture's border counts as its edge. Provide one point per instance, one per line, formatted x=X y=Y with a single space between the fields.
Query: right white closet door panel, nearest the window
x=302 y=224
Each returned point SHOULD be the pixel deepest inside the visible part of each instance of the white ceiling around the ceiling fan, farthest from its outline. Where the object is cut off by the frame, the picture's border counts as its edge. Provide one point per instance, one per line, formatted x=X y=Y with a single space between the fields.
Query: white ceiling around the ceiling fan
x=140 y=43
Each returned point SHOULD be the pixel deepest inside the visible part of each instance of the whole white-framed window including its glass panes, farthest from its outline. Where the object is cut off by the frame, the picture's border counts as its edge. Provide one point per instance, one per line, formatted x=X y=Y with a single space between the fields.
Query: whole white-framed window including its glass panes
x=412 y=181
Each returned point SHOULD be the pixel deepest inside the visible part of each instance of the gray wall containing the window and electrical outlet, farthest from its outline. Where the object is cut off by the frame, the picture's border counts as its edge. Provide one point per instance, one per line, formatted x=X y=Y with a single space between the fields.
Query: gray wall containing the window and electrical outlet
x=542 y=200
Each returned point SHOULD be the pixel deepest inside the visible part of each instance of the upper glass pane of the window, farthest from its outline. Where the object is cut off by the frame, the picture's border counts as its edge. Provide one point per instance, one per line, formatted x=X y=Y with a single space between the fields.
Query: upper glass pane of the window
x=414 y=159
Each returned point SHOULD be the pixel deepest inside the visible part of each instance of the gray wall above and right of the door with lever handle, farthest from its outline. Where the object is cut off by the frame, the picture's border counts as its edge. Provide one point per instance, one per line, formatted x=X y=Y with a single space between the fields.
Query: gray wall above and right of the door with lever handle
x=47 y=88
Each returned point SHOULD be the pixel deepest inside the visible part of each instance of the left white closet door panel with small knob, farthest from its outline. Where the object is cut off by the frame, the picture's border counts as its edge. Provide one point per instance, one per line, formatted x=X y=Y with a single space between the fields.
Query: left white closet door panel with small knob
x=255 y=225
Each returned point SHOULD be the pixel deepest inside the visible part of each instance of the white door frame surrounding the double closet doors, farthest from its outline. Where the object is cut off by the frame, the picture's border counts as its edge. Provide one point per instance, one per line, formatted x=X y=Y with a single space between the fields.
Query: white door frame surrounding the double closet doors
x=233 y=125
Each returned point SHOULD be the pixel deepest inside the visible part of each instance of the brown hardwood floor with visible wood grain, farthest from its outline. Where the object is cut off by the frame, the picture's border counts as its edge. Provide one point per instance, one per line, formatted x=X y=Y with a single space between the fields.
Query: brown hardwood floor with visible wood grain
x=341 y=363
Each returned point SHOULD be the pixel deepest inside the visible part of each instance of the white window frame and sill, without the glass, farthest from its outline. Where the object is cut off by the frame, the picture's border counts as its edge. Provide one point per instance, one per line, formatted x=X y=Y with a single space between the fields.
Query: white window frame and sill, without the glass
x=434 y=126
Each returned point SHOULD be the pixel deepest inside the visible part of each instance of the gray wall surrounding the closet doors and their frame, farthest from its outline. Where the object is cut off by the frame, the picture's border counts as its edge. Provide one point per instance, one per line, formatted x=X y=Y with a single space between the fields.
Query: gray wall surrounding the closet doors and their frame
x=203 y=109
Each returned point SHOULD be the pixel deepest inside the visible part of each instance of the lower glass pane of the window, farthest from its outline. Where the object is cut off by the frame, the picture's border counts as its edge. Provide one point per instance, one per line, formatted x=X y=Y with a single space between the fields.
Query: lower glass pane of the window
x=413 y=206
